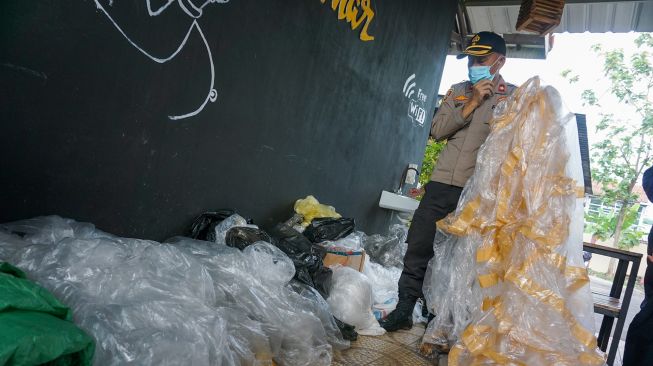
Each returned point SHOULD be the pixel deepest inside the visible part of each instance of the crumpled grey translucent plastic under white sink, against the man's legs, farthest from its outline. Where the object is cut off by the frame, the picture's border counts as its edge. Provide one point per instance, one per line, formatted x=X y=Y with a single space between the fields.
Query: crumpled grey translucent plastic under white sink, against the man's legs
x=387 y=250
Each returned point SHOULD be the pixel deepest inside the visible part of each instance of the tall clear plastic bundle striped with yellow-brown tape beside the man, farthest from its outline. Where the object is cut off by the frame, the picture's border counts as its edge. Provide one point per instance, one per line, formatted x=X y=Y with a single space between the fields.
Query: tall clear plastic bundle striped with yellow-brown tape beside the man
x=508 y=285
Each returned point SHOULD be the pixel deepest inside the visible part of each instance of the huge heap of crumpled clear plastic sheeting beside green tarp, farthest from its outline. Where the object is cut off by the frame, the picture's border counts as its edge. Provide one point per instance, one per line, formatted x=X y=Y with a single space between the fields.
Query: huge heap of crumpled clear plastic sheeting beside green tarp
x=180 y=302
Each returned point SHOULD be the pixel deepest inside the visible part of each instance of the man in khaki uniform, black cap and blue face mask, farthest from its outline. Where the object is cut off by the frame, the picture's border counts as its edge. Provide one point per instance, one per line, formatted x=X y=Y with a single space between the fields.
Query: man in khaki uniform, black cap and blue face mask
x=462 y=120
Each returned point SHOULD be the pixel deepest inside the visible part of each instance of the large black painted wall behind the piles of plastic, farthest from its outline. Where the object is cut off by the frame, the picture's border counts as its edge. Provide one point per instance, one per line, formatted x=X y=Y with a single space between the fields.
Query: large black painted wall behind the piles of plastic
x=303 y=107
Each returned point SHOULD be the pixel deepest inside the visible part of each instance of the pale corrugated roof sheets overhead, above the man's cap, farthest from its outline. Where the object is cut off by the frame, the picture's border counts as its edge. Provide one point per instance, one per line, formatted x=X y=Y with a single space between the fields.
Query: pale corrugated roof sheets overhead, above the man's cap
x=617 y=17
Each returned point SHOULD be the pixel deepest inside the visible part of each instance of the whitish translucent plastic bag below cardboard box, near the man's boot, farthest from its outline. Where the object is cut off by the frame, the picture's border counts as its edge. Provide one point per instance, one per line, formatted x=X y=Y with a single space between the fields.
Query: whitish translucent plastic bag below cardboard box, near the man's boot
x=350 y=300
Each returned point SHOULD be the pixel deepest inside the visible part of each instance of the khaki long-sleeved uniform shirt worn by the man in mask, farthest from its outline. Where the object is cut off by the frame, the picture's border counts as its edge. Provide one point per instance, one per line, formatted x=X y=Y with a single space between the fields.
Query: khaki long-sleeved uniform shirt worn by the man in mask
x=464 y=136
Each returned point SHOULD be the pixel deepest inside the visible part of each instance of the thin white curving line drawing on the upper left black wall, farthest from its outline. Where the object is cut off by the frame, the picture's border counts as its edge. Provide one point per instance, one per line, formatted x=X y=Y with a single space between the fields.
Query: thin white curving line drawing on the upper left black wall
x=192 y=10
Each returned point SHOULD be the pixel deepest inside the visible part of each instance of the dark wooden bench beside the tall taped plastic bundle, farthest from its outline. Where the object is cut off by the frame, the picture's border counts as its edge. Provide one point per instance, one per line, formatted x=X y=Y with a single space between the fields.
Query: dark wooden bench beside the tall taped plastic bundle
x=611 y=305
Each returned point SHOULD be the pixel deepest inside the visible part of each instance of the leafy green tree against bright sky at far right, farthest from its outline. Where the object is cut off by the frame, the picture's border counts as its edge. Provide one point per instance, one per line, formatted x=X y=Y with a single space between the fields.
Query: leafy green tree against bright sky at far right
x=627 y=147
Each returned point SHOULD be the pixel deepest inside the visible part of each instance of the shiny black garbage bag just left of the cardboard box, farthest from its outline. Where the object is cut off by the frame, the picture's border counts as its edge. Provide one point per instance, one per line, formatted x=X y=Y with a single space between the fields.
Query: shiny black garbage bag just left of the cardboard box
x=306 y=257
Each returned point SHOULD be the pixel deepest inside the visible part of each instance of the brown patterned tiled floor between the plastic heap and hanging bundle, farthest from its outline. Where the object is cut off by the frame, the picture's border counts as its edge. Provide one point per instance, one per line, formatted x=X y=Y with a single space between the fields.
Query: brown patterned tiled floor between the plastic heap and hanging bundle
x=397 y=348
